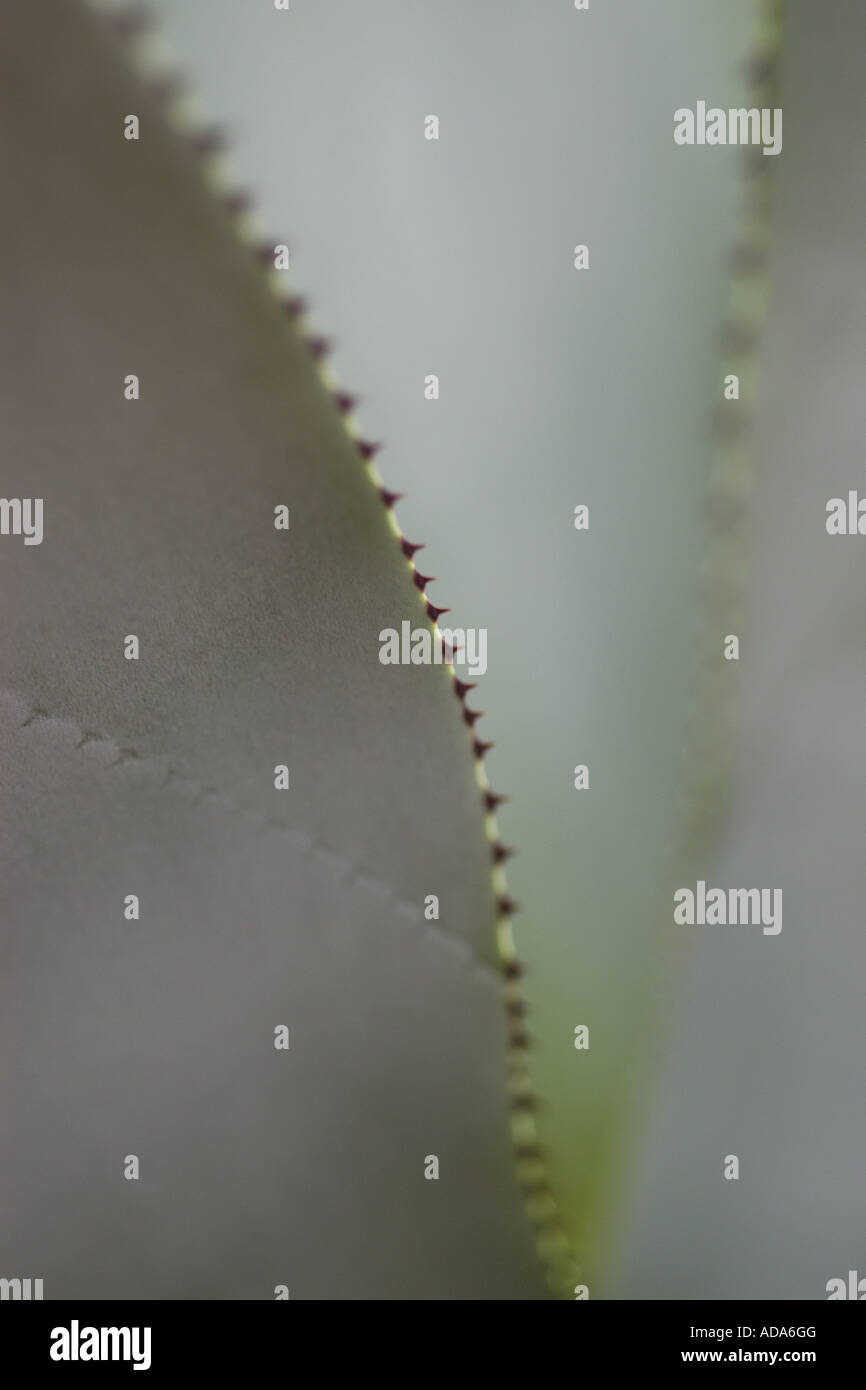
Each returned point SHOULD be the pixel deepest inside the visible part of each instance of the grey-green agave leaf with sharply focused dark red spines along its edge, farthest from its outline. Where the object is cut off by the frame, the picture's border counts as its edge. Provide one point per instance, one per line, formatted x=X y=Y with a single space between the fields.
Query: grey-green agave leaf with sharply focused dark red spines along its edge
x=259 y=908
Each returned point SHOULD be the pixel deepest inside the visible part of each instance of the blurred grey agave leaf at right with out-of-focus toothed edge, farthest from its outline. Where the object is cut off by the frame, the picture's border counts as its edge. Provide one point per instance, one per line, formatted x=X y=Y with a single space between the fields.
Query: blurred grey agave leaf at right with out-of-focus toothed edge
x=771 y=1053
